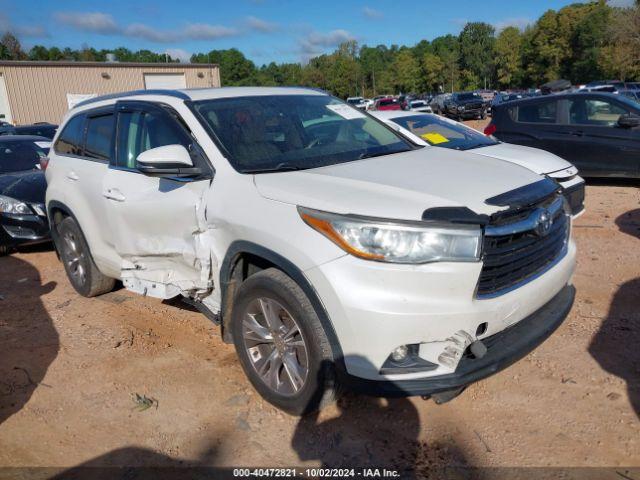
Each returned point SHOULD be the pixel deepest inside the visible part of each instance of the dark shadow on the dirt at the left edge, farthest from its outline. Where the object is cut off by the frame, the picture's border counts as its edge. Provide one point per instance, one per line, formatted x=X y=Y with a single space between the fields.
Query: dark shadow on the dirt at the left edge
x=29 y=342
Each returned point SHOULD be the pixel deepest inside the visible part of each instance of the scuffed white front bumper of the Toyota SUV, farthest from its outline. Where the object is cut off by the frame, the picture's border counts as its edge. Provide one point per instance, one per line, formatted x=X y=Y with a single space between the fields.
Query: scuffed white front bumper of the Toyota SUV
x=376 y=307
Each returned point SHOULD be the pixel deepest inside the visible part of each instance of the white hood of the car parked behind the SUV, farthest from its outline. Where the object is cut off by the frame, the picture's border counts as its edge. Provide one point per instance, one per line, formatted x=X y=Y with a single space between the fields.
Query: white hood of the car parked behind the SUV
x=536 y=160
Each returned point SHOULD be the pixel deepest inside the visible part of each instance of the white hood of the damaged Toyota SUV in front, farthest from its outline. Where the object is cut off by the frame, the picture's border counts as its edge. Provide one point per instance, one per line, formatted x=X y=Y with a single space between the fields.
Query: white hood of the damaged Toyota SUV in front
x=399 y=186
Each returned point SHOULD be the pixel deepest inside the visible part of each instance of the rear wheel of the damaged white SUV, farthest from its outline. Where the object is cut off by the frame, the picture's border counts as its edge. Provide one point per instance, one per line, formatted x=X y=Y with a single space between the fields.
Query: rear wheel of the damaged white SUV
x=76 y=257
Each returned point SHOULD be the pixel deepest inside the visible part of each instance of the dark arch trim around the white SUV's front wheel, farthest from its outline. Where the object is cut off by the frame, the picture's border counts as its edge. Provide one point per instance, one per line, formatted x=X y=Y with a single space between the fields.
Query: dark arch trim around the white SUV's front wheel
x=239 y=247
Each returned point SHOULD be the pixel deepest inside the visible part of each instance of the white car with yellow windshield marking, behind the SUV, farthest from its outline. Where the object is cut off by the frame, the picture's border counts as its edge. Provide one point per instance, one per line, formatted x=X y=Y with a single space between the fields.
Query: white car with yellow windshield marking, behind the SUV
x=433 y=130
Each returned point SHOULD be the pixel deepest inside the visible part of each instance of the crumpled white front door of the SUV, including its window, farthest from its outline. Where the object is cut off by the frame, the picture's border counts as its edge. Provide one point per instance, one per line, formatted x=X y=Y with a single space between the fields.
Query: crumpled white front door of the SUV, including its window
x=157 y=223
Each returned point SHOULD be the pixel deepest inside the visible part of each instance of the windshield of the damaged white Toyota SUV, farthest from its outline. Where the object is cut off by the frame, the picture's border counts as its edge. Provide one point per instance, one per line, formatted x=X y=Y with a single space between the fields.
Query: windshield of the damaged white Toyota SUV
x=278 y=132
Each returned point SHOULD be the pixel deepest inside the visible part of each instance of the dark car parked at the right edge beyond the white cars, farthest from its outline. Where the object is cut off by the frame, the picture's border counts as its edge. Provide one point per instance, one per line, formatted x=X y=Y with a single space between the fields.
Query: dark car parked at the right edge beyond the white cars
x=598 y=132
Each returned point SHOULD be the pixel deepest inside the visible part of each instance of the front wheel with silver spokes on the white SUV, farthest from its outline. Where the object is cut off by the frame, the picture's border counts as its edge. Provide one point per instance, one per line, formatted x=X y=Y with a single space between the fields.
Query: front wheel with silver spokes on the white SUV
x=311 y=385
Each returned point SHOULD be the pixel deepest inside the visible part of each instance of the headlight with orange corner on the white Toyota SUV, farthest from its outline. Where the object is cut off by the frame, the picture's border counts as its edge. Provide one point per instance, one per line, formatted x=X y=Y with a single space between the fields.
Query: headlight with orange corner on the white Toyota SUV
x=396 y=242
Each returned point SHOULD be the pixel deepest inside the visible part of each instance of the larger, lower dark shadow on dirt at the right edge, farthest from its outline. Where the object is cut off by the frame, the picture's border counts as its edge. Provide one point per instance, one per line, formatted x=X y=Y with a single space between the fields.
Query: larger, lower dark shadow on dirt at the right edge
x=616 y=346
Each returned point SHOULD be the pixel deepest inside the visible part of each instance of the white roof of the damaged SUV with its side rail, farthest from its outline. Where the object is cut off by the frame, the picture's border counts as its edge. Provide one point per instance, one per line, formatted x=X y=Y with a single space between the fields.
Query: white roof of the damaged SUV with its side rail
x=208 y=93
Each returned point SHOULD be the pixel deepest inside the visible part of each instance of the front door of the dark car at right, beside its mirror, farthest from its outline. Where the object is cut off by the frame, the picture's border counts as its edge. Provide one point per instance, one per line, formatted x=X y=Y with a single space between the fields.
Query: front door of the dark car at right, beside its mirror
x=597 y=145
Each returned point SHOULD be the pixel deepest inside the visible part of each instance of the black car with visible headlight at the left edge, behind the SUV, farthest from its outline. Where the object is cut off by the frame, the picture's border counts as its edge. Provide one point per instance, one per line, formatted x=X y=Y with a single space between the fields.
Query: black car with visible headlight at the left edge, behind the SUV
x=23 y=217
